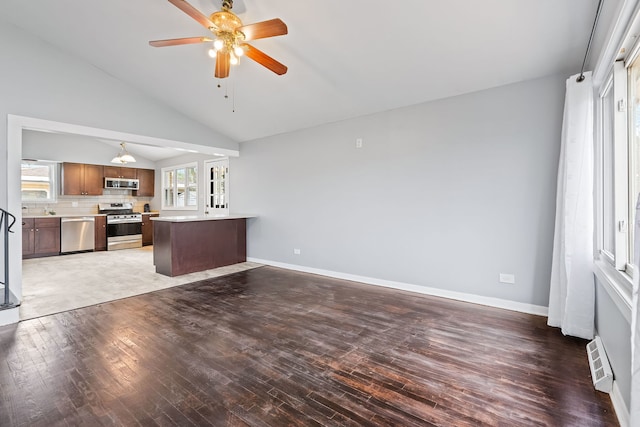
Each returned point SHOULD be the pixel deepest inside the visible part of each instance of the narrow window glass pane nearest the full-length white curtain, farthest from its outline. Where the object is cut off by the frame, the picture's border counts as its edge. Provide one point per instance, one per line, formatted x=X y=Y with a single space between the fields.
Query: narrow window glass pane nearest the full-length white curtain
x=608 y=227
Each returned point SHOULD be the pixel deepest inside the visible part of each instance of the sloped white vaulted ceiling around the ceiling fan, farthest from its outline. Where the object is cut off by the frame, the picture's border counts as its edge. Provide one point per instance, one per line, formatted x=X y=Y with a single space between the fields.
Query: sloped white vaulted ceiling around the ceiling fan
x=346 y=58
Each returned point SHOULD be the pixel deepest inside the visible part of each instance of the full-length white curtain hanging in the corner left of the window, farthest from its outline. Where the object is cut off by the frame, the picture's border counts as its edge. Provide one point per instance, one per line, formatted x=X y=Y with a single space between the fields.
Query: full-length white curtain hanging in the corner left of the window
x=572 y=293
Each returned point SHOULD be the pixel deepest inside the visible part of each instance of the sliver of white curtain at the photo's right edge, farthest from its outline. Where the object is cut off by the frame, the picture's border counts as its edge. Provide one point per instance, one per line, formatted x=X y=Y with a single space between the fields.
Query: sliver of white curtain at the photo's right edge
x=634 y=410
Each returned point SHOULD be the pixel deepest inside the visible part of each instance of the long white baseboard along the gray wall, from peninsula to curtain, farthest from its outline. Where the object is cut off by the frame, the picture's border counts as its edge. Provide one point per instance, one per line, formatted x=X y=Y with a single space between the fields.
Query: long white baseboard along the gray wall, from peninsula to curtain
x=459 y=296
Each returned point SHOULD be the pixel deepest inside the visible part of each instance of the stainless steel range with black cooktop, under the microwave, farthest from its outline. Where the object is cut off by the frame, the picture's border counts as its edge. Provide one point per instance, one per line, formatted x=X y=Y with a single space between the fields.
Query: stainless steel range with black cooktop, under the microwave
x=124 y=227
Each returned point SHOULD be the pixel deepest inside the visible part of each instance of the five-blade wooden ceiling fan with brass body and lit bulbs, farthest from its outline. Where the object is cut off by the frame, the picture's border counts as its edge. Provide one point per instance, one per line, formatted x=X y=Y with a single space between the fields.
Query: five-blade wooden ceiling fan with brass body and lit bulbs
x=230 y=37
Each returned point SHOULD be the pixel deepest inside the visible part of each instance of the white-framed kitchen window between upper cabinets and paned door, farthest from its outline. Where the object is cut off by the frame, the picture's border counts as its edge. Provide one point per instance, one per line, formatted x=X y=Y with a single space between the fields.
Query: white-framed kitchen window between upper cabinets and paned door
x=180 y=187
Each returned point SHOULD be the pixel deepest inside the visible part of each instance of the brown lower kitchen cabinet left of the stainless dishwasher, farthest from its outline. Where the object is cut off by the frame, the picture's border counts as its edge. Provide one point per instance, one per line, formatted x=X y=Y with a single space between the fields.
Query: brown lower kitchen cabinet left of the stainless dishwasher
x=40 y=237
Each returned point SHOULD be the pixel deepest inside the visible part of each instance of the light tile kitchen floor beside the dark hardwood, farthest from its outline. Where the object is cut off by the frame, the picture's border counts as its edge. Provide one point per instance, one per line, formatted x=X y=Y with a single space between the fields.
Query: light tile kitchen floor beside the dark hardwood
x=55 y=284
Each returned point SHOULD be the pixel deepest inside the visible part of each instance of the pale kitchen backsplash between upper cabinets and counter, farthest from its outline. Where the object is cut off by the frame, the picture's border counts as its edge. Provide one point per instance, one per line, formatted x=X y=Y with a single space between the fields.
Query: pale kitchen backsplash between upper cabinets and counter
x=84 y=205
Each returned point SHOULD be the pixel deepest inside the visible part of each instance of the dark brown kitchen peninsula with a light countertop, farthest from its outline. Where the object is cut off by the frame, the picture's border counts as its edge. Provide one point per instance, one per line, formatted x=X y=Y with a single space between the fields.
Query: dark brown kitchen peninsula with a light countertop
x=186 y=244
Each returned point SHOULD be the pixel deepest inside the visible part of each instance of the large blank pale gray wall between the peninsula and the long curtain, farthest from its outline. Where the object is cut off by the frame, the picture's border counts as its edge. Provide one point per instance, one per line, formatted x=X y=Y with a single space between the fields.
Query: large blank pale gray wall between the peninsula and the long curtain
x=446 y=194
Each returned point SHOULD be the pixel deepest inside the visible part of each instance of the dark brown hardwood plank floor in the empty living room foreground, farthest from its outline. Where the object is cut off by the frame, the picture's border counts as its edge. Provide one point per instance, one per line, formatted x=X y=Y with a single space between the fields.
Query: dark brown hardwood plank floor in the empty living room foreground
x=270 y=347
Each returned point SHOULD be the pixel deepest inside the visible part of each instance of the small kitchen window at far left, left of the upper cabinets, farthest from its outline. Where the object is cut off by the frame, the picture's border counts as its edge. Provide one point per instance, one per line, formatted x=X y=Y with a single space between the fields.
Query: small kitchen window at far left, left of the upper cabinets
x=38 y=181
